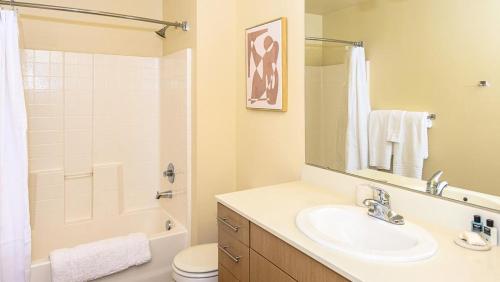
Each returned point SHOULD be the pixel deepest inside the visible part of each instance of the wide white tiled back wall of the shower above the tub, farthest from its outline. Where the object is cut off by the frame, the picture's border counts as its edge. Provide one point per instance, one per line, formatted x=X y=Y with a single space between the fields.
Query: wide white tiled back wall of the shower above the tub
x=93 y=135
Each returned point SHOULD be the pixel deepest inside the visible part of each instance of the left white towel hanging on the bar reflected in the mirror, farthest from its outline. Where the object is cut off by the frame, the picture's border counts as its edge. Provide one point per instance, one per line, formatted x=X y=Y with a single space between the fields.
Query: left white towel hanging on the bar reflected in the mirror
x=380 y=150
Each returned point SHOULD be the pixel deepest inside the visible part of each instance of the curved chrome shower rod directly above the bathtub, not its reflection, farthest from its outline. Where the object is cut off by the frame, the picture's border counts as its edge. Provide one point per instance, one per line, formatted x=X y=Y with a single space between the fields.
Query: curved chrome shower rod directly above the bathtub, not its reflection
x=183 y=25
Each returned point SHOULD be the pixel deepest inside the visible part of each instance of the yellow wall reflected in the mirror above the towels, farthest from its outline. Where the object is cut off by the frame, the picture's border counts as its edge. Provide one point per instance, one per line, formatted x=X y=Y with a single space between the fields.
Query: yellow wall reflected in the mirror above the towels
x=428 y=55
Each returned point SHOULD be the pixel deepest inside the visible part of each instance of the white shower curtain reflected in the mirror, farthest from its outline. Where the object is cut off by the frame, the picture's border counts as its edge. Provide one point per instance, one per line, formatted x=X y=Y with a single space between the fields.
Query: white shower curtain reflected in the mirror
x=358 y=108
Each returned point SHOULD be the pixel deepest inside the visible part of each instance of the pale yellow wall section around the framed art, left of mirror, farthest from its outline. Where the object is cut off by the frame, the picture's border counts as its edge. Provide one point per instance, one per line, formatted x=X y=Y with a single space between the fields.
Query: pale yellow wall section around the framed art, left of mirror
x=270 y=145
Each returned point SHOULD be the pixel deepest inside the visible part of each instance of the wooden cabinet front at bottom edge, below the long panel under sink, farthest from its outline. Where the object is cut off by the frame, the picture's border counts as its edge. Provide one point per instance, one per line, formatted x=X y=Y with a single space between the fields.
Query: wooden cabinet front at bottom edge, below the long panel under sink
x=264 y=271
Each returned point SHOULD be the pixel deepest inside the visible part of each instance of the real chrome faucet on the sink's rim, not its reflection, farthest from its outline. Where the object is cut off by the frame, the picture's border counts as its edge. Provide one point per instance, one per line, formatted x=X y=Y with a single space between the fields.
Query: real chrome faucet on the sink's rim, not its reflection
x=380 y=207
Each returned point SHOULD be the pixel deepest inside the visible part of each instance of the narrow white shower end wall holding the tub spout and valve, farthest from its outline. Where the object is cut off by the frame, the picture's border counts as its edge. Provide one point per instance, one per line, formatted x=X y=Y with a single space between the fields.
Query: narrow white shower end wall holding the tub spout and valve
x=175 y=128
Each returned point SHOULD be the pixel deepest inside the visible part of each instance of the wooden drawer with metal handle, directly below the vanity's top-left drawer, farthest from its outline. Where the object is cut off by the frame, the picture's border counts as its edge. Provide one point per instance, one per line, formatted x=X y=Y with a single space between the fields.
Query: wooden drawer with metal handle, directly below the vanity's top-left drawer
x=234 y=256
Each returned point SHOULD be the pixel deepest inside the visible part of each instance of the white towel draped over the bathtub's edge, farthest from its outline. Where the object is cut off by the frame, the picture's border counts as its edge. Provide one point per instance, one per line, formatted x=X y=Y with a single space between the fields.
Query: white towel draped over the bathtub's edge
x=98 y=259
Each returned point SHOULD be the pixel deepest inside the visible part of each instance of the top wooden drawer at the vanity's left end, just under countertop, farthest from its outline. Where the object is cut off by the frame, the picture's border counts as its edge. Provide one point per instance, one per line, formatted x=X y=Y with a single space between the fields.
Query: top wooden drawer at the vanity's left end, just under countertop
x=234 y=224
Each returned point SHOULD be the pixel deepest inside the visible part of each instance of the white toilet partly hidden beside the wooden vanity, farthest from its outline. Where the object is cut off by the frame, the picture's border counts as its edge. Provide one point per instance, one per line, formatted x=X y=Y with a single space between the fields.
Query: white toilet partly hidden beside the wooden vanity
x=196 y=264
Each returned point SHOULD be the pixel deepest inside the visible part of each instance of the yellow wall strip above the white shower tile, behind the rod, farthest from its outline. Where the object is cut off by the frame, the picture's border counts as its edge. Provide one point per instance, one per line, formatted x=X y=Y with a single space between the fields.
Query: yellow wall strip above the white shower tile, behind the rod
x=51 y=30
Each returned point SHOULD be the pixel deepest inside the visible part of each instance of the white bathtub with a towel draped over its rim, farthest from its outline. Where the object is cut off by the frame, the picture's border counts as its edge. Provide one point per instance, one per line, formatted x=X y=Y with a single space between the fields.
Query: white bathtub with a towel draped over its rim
x=164 y=244
